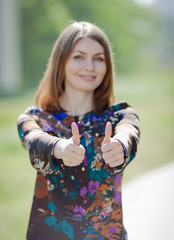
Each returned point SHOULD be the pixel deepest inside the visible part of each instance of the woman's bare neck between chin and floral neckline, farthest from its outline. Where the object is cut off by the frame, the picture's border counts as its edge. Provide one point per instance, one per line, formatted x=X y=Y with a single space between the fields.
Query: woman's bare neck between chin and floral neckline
x=77 y=103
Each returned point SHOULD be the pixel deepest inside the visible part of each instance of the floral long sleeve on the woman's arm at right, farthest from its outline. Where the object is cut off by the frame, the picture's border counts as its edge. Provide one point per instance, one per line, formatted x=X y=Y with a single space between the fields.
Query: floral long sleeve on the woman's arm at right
x=128 y=133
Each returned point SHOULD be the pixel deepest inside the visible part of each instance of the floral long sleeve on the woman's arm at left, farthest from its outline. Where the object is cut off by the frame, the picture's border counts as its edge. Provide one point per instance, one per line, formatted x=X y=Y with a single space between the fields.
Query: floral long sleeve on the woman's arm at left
x=39 y=143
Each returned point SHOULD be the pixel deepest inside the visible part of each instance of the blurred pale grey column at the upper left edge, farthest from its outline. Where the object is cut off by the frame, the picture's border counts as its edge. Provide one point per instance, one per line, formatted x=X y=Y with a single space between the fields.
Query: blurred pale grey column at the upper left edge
x=10 y=54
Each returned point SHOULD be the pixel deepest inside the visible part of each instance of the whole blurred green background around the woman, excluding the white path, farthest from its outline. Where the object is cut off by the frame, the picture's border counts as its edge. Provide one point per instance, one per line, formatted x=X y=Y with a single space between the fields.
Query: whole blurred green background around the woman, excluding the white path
x=142 y=36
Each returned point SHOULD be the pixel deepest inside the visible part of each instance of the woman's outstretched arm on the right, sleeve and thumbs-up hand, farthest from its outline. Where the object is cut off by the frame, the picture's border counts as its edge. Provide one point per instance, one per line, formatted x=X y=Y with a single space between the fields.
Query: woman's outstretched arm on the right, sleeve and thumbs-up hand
x=120 y=149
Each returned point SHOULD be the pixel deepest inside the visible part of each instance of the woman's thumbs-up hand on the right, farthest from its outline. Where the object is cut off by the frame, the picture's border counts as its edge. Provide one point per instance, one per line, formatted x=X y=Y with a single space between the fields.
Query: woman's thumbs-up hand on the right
x=113 y=153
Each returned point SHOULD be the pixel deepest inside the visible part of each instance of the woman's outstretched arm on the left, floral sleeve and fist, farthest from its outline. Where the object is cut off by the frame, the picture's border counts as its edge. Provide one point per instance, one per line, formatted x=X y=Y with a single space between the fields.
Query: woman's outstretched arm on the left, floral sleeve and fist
x=47 y=153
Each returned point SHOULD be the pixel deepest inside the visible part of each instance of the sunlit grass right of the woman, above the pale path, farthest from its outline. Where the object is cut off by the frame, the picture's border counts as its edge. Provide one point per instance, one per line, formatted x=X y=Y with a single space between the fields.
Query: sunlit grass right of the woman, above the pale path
x=153 y=99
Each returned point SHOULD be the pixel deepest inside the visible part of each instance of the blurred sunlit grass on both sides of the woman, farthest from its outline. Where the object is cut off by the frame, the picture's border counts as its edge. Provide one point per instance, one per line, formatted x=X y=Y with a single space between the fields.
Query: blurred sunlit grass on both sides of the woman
x=153 y=99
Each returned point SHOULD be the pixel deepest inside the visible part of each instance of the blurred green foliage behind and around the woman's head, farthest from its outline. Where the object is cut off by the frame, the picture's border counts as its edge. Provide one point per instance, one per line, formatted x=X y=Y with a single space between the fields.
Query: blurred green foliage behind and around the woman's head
x=128 y=26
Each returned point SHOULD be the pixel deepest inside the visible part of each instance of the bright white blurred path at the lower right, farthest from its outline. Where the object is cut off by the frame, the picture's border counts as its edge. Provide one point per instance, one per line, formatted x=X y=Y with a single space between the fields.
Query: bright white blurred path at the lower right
x=148 y=205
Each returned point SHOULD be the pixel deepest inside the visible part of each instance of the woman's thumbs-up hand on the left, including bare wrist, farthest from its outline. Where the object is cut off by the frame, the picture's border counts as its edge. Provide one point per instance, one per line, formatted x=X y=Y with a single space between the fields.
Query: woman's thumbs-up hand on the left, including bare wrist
x=70 y=150
